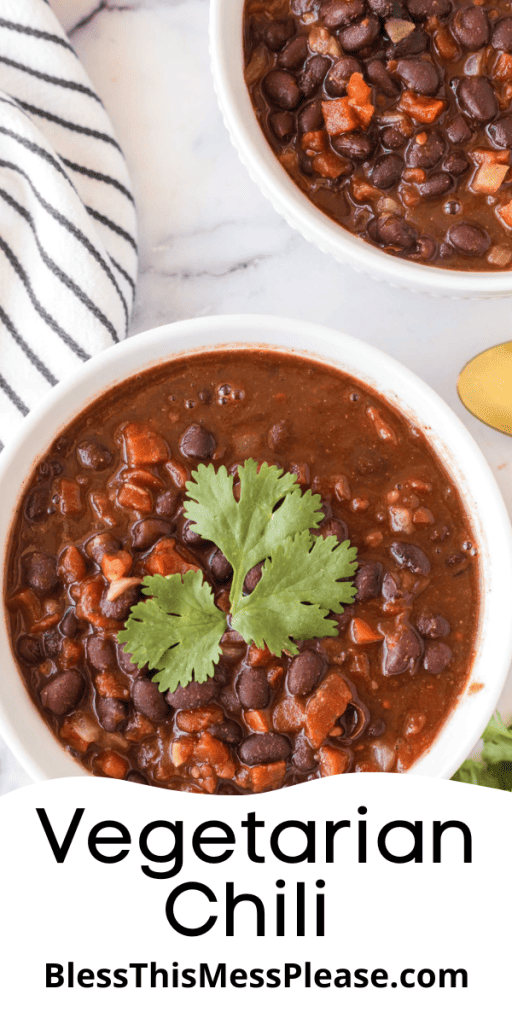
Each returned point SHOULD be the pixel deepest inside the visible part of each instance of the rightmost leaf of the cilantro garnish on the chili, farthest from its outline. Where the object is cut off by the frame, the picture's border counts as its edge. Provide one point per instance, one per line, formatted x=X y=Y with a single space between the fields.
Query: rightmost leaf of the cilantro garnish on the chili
x=305 y=580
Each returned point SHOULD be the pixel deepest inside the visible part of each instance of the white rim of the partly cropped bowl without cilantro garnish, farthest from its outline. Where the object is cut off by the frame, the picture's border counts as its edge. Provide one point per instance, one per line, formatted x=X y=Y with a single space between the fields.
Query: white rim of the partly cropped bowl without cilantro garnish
x=291 y=203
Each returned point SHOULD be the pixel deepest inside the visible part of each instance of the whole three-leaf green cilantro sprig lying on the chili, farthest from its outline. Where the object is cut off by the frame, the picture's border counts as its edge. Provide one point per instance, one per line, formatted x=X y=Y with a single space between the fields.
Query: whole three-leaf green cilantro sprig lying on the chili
x=177 y=629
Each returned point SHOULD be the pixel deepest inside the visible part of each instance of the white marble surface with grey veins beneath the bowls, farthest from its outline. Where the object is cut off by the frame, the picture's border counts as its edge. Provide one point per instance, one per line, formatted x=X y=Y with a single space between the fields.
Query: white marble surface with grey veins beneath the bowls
x=211 y=244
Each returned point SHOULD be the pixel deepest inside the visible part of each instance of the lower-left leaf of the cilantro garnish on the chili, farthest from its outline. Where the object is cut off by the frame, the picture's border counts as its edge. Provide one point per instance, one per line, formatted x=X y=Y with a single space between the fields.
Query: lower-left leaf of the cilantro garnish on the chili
x=178 y=631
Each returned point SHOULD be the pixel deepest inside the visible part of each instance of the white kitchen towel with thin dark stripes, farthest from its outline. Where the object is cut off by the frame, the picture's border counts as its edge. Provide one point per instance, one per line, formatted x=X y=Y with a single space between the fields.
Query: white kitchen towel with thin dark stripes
x=68 y=230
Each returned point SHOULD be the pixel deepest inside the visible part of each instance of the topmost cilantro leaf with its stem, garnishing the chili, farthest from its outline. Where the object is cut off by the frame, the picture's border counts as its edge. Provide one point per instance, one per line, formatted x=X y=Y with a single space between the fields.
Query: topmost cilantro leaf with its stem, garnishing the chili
x=249 y=530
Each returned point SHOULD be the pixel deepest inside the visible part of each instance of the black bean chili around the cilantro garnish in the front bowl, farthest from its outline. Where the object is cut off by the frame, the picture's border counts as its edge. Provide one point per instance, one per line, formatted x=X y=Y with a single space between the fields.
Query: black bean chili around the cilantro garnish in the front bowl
x=105 y=509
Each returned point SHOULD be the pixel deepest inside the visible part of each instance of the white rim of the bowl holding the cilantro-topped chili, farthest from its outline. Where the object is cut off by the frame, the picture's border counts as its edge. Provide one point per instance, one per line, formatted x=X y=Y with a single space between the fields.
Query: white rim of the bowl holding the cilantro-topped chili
x=22 y=726
